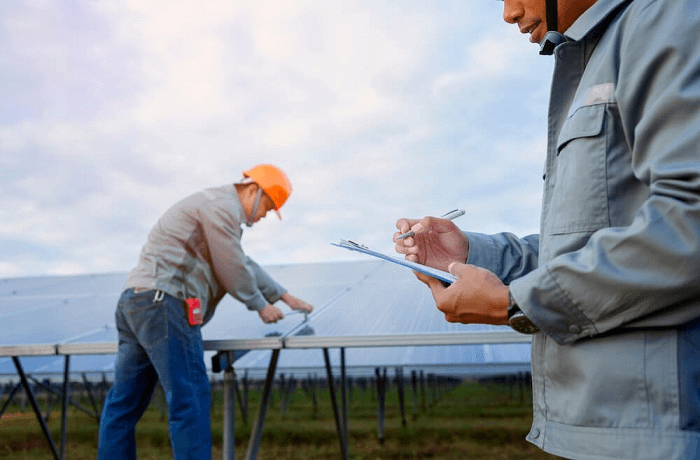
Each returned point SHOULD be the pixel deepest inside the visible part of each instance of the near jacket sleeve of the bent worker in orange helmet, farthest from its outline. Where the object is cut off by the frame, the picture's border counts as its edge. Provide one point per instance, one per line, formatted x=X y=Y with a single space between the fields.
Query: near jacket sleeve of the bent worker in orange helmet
x=230 y=264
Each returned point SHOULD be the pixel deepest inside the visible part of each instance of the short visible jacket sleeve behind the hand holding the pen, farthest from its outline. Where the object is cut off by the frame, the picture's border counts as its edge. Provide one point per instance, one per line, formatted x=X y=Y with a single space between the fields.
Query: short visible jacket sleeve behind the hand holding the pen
x=504 y=254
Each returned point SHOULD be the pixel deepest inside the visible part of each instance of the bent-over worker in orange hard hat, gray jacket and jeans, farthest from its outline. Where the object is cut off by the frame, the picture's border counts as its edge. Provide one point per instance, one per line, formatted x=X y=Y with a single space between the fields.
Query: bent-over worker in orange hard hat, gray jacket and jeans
x=193 y=252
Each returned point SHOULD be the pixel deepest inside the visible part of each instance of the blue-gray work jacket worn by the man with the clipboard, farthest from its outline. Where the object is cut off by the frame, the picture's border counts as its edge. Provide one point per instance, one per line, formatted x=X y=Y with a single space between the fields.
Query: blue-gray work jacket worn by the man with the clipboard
x=613 y=278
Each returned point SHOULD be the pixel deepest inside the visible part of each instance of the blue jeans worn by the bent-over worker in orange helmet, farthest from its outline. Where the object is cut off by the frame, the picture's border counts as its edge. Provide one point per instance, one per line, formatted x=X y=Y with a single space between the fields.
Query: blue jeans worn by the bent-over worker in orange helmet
x=157 y=343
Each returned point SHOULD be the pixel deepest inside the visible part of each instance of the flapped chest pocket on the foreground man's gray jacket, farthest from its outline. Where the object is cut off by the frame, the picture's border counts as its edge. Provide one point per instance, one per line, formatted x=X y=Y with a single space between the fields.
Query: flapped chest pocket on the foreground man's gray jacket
x=579 y=199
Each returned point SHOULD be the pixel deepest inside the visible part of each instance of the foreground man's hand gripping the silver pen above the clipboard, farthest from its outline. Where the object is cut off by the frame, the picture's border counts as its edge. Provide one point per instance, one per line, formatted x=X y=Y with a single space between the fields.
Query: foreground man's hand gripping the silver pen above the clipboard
x=437 y=242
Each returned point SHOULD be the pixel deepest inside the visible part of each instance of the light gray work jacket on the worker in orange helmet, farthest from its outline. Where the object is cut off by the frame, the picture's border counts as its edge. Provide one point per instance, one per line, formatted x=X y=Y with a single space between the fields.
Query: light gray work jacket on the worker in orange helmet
x=194 y=250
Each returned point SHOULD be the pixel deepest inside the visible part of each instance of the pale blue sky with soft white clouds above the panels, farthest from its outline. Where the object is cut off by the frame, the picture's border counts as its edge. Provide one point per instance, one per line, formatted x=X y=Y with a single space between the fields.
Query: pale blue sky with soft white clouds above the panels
x=113 y=110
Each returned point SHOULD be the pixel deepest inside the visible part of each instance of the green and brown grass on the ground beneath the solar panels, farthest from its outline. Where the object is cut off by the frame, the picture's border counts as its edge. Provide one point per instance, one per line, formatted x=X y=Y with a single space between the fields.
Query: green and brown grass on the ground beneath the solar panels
x=472 y=421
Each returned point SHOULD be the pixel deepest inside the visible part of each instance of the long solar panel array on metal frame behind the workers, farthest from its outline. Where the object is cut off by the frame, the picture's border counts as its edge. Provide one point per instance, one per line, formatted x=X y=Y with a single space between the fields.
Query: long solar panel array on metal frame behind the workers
x=357 y=301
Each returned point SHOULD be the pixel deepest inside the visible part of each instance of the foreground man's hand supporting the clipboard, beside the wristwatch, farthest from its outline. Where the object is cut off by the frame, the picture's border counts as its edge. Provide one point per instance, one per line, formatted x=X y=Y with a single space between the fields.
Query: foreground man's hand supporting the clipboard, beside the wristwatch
x=478 y=296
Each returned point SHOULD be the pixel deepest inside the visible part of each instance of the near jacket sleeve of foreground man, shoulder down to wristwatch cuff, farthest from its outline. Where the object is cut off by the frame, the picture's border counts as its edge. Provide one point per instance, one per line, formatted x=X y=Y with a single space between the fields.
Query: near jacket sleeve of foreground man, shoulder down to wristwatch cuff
x=648 y=272
